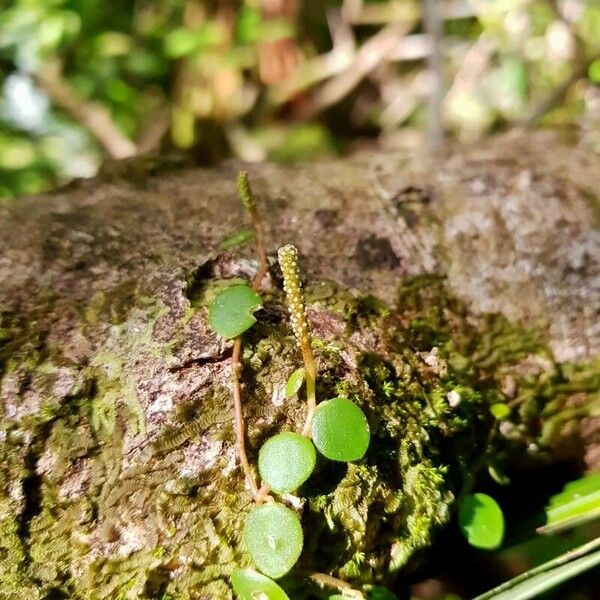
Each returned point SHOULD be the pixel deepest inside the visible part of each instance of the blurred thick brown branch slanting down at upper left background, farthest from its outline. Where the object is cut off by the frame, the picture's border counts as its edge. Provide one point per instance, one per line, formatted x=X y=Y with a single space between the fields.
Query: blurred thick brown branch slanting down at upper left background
x=91 y=115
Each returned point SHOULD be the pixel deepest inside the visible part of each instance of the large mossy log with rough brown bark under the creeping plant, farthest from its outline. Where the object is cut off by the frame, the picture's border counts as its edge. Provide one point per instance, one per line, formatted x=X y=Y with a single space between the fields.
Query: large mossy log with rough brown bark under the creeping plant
x=118 y=474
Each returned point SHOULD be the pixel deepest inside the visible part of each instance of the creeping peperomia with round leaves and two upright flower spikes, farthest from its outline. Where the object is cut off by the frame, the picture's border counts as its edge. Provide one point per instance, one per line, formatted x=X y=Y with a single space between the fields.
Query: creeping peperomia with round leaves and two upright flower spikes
x=338 y=428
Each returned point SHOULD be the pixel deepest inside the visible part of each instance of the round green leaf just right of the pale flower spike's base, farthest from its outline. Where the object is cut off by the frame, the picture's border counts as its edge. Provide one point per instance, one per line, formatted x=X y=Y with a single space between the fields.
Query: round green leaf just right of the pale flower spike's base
x=340 y=430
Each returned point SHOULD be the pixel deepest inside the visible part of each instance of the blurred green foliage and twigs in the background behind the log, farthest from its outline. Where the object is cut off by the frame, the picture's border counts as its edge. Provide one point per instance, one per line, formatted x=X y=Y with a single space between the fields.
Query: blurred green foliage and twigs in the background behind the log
x=274 y=78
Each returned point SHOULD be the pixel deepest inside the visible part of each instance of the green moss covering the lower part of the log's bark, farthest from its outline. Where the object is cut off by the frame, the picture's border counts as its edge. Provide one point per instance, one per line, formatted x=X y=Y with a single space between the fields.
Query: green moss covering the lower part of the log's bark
x=79 y=519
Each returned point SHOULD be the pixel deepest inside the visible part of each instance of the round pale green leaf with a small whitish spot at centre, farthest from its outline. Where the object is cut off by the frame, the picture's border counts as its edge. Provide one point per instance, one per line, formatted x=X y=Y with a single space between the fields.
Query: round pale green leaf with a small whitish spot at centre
x=273 y=537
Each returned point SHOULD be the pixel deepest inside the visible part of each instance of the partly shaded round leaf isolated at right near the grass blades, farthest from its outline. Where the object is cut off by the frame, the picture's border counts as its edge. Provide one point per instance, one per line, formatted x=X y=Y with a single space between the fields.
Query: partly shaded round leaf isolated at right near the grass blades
x=481 y=521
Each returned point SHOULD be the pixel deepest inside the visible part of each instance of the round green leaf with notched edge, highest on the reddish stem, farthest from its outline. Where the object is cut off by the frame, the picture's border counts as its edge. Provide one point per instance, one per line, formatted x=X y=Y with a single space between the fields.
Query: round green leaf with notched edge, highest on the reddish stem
x=232 y=311
